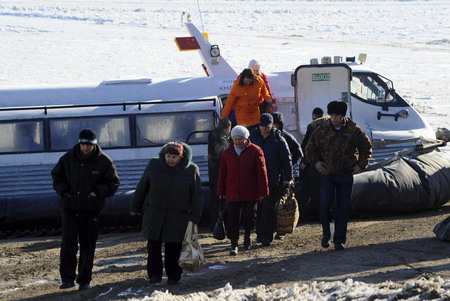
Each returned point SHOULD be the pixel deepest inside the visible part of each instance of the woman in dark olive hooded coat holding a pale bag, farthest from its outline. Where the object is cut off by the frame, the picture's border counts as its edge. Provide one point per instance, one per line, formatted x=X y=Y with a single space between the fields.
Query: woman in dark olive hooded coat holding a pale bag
x=169 y=195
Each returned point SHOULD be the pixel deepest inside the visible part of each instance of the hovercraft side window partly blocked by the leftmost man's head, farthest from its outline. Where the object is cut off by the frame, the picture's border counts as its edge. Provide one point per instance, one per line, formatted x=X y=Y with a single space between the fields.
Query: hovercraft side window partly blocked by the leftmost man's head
x=111 y=131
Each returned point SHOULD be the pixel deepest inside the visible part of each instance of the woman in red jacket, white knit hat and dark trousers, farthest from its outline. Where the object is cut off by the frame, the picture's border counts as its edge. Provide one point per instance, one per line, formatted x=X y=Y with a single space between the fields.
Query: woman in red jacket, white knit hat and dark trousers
x=242 y=181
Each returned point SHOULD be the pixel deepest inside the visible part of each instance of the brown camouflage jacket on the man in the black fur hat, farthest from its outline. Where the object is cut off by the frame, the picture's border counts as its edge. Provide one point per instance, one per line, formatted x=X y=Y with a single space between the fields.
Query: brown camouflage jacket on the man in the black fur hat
x=340 y=150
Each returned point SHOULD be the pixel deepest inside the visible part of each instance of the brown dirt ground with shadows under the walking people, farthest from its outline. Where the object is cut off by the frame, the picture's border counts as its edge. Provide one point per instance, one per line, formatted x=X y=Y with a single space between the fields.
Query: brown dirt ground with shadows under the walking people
x=398 y=248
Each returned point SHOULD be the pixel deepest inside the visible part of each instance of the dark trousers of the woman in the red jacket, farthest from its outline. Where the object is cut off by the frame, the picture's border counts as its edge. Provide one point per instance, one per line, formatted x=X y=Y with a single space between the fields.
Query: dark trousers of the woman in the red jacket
x=237 y=211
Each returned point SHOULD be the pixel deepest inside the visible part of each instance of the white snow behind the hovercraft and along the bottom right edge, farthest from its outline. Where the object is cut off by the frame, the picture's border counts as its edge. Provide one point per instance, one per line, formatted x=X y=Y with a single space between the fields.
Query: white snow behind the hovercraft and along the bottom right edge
x=44 y=41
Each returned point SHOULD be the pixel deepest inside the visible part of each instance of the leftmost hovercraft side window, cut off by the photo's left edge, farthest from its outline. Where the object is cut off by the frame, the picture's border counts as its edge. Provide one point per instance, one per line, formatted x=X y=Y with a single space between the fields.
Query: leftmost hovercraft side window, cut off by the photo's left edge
x=23 y=136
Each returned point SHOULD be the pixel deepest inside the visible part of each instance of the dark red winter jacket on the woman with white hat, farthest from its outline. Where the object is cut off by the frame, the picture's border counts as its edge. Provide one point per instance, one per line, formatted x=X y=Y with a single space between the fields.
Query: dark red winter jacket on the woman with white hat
x=244 y=177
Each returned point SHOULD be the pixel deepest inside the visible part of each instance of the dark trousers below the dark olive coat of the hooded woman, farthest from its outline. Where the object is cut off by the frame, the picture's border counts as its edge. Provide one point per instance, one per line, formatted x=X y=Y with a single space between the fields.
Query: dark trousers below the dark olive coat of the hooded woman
x=172 y=252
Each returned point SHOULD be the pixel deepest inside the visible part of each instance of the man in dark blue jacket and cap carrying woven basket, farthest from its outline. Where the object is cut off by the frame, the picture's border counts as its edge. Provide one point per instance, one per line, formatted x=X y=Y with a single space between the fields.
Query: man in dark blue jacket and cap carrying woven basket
x=279 y=174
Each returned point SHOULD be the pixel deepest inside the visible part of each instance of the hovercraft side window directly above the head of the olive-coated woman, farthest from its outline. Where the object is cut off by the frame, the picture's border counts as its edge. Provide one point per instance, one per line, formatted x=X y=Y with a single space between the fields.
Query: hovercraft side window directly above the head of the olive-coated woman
x=162 y=128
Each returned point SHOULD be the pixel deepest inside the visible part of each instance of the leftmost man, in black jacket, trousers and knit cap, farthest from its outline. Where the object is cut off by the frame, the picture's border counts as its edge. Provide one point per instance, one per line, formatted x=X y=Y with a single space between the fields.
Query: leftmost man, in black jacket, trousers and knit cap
x=83 y=178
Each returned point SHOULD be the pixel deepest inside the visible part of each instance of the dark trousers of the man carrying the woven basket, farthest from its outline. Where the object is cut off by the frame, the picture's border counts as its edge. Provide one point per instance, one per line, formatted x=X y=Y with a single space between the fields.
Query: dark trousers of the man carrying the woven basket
x=265 y=220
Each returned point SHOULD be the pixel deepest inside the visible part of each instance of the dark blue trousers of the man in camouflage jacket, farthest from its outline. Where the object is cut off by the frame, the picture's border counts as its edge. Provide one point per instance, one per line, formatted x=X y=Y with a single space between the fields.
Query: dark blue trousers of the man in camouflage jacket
x=339 y=188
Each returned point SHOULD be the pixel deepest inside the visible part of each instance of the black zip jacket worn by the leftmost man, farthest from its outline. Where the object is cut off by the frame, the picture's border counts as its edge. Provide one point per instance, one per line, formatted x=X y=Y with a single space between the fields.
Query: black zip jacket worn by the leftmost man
x=75 y=177
